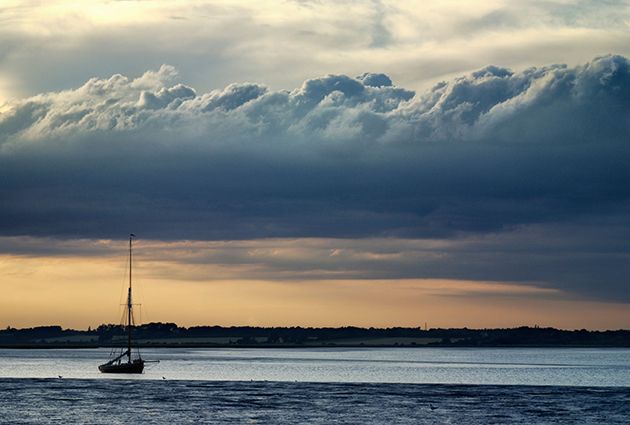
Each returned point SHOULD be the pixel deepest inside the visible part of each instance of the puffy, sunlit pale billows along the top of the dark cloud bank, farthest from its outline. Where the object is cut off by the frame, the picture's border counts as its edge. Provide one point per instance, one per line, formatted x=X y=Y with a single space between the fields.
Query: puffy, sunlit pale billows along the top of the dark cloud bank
x=491 y=103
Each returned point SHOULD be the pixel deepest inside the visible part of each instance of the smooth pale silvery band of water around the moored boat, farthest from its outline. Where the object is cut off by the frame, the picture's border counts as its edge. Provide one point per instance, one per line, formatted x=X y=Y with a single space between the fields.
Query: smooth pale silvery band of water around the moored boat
x=567 y=367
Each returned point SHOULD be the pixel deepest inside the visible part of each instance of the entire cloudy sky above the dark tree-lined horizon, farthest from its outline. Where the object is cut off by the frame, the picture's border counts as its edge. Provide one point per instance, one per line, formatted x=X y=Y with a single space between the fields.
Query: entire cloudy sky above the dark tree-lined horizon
x=316 y=163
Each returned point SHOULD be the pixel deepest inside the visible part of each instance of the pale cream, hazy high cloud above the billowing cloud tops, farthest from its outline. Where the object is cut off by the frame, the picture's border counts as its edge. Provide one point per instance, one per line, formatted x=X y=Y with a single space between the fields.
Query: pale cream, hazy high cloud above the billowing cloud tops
x=54 y=46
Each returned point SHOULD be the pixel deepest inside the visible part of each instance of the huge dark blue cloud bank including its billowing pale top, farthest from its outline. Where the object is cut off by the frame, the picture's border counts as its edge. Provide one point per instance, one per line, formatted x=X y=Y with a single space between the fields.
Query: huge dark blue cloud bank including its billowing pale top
x=493 y=154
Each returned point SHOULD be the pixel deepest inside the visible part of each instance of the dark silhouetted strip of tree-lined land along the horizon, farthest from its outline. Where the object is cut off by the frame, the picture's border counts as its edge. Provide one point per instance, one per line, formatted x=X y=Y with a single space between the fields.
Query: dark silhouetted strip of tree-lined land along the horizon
x=169 y=334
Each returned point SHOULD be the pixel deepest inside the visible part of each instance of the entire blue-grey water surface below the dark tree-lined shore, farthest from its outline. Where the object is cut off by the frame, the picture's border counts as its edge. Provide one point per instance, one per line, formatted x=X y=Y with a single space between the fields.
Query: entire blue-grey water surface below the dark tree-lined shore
x=320 y=386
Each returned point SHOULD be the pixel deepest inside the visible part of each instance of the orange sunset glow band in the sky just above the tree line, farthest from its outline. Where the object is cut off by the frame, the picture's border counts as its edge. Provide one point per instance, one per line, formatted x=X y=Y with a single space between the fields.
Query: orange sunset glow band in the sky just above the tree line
x=77 y=292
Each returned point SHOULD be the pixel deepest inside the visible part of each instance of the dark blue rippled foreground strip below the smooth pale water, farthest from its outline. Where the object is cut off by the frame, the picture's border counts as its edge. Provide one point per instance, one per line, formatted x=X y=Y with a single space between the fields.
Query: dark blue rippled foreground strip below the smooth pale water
x=95 y=402
